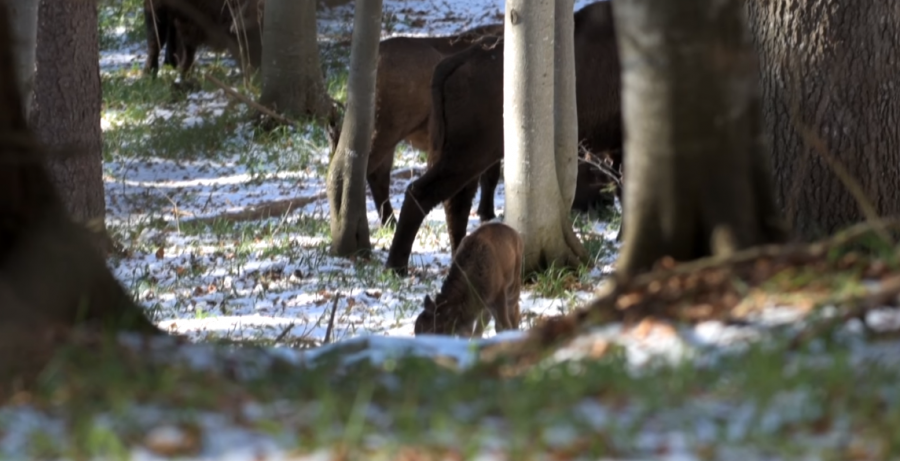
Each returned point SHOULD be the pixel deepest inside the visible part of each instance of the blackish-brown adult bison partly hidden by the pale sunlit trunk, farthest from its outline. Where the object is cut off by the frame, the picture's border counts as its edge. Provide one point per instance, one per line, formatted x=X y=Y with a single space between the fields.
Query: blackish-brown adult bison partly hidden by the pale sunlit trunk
x=467 y=124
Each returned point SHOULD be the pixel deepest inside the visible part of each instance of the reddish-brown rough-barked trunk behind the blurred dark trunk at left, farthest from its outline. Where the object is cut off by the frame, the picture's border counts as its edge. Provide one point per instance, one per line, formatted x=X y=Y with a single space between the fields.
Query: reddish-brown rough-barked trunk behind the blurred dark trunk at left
x=66 y=106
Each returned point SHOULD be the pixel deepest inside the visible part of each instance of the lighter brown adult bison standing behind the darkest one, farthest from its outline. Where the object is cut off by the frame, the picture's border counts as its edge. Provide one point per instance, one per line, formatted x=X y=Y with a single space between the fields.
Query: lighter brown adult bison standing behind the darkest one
x=403 y=105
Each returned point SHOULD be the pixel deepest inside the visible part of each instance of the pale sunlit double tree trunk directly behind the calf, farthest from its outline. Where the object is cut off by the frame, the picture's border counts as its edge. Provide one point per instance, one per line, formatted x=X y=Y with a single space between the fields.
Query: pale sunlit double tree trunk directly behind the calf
x=539 y=182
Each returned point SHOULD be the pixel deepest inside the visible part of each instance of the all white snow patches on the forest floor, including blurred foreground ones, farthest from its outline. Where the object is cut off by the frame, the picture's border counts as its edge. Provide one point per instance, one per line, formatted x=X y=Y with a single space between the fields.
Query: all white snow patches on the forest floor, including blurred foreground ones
x=274 y=281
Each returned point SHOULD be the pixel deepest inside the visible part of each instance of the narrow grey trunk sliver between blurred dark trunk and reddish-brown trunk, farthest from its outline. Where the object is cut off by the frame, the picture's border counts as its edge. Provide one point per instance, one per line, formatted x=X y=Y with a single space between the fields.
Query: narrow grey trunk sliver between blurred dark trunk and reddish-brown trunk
x=23 y=16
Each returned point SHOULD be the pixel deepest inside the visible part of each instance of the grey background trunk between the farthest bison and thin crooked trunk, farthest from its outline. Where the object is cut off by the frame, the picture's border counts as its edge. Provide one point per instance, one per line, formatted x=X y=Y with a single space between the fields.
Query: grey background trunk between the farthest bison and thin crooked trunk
x=292 y=81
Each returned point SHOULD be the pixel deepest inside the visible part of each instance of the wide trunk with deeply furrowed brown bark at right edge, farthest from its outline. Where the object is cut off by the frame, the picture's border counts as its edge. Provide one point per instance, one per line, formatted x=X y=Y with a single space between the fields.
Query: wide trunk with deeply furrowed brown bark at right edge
x=830 y=77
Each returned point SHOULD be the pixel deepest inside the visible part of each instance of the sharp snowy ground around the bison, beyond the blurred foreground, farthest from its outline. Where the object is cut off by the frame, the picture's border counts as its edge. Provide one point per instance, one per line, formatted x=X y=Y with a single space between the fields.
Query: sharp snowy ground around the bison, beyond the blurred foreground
x=280 y=286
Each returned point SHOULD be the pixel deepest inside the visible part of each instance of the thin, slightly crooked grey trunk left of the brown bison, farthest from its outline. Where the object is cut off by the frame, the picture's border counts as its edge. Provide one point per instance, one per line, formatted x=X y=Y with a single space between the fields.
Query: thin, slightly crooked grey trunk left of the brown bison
x=347 y=172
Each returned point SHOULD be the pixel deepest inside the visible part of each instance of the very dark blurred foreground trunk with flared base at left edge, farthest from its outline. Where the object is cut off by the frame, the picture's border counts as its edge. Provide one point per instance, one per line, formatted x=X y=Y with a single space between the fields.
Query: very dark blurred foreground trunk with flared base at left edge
x=51 y=278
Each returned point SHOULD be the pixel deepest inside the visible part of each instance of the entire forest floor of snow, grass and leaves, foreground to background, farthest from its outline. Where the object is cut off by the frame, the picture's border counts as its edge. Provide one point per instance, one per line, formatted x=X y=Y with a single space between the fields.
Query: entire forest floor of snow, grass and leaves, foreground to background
x=790 y=354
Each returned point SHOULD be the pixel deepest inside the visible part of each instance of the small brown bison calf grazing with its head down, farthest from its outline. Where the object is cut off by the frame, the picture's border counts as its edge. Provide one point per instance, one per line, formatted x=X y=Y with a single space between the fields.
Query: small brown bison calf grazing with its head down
x=484 y=281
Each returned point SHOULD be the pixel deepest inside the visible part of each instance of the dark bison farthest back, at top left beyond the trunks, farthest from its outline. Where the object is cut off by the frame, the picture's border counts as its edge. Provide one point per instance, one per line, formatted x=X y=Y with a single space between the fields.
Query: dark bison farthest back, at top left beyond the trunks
x=185 y=25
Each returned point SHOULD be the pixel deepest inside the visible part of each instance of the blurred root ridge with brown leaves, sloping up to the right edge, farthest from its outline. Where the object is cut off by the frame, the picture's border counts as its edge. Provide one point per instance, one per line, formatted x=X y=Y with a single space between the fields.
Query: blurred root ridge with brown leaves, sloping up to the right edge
x=707 y=289
